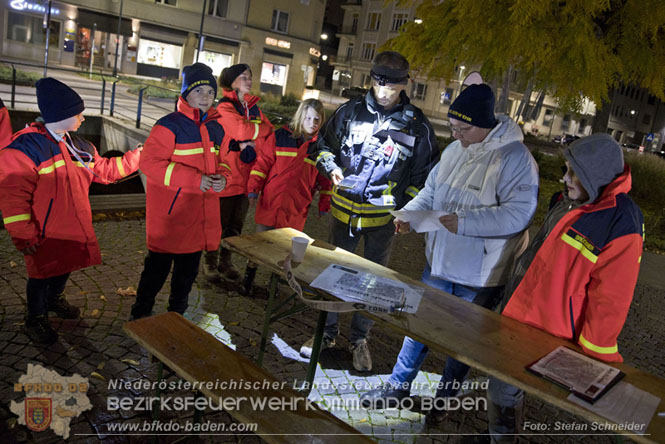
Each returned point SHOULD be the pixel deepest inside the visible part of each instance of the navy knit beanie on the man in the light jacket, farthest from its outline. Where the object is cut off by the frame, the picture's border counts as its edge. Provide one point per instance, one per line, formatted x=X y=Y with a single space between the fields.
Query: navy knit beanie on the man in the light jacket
x=475 y=106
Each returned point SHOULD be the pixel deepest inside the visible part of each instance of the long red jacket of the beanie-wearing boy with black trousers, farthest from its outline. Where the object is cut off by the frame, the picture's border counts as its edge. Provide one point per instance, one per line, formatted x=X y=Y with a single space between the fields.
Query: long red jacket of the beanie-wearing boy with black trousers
x=180 y=218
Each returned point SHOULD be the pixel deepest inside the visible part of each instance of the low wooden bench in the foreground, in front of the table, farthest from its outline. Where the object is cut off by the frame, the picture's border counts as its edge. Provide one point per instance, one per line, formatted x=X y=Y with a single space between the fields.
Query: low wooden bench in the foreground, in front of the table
x=197 y=356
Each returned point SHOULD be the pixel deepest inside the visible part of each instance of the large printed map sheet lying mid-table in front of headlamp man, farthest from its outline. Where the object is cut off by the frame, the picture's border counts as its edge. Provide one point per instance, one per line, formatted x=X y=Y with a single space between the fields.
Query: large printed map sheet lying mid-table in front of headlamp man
x=358 y=286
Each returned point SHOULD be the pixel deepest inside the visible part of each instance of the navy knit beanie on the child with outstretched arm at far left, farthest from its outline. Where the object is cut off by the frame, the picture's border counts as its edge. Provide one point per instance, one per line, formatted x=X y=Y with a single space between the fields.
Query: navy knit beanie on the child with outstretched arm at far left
x=57 y=101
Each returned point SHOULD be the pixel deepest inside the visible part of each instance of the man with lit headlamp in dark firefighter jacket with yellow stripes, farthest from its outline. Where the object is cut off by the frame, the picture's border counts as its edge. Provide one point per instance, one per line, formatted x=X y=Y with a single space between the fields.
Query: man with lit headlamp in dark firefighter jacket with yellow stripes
x=377 y=150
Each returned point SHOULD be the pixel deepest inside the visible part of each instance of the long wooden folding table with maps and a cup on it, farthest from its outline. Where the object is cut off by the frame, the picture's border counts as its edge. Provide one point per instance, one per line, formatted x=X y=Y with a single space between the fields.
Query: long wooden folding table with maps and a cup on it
x=494 y=344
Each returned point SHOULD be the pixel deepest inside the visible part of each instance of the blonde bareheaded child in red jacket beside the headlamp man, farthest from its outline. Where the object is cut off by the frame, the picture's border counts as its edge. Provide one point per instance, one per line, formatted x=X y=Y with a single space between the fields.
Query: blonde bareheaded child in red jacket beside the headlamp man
x=286 y=178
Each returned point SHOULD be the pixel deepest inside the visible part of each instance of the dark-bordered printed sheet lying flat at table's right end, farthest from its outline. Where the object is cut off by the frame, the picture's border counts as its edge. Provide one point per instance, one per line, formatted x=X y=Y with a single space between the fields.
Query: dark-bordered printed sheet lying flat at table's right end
x=583 y=376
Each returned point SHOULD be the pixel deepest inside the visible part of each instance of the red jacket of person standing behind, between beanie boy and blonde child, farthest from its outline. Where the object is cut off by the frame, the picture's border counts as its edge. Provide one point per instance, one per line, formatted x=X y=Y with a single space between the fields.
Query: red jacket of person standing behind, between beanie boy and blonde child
x=241 y=123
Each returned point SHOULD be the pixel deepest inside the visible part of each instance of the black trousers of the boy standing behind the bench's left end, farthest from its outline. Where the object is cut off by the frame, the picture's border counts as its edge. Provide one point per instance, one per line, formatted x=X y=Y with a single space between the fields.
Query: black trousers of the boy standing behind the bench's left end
x=155 y=271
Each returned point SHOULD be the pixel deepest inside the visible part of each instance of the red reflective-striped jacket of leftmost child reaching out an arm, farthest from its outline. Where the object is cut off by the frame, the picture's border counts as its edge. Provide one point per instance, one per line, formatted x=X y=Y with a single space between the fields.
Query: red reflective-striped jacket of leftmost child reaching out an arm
x=44 y=199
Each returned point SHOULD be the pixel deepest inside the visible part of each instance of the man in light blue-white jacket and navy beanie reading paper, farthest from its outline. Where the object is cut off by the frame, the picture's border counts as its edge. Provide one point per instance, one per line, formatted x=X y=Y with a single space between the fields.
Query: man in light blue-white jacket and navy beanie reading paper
x=487 y=183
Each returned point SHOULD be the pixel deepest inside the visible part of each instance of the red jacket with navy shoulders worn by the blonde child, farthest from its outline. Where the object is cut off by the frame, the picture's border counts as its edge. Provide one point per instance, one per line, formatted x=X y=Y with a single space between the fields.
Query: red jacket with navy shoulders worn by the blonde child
x=288 y=180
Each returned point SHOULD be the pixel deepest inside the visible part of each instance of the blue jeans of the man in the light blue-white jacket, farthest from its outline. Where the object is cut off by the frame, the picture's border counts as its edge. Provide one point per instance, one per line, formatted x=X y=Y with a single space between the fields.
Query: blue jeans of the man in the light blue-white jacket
x=413 y=353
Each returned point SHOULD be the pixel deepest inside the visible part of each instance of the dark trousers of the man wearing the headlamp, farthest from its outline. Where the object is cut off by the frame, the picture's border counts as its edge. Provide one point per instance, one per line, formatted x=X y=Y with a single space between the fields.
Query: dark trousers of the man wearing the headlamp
x=378 y=245
